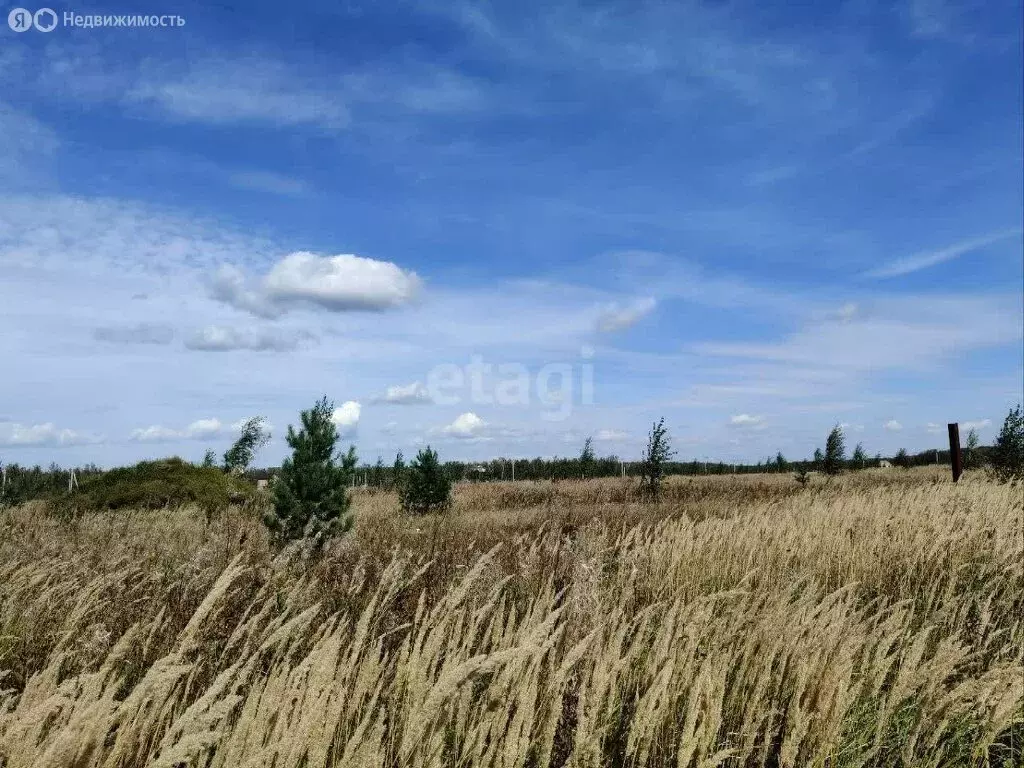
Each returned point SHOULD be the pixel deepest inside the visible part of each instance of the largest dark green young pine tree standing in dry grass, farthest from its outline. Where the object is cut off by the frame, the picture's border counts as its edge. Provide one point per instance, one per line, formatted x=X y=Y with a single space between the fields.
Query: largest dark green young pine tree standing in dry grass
x=311 y=499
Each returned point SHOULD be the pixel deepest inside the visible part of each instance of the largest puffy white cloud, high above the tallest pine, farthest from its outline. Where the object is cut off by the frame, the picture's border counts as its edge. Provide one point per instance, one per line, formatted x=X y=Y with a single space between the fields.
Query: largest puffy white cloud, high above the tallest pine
x=344 y=283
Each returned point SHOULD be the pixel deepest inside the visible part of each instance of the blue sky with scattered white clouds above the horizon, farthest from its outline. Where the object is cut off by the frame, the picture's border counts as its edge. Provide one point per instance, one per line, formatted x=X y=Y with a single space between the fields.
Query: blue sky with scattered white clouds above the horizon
x=499 y=229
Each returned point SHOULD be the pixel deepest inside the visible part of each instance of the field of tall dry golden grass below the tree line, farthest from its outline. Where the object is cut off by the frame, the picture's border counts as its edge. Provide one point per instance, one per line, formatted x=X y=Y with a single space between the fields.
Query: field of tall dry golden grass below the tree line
x=875 y=620
